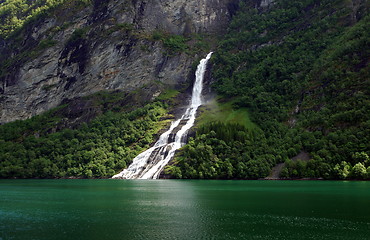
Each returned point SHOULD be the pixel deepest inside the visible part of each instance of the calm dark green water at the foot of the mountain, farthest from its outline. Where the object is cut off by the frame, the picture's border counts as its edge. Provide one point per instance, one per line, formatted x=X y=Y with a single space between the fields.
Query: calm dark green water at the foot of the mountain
x=171 y=209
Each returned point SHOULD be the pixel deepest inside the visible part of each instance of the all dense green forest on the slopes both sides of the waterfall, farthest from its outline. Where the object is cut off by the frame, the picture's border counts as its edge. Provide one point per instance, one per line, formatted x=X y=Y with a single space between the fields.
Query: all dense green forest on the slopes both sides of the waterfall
x=295 y=77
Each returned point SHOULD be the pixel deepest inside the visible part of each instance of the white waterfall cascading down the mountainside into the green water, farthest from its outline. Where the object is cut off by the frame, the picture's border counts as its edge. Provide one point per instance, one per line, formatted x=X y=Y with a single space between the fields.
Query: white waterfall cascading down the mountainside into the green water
x=149 y=164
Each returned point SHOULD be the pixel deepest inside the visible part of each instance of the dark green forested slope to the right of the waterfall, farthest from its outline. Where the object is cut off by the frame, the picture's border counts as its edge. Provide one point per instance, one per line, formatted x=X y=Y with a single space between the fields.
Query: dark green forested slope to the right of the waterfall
x=301 y=69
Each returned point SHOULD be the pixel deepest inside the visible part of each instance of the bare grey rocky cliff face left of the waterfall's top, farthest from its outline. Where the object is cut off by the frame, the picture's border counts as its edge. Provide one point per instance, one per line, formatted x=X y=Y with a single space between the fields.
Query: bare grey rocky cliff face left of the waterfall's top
x=106 y=46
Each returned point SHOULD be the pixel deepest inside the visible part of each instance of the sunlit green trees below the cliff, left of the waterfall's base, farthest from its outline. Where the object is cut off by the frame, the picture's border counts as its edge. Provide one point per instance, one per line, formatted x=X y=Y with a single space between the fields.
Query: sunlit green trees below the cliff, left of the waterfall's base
x=36 y=148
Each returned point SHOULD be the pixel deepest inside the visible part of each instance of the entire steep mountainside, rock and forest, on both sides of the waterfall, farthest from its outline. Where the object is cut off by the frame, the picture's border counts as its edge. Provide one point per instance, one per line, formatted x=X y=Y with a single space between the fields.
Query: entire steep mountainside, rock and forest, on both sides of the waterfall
x=292 y=79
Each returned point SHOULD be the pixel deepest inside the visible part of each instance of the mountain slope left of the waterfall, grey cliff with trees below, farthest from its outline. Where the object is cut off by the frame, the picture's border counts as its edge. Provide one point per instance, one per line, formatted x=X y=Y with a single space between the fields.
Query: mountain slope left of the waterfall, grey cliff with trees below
x=112 y=65
